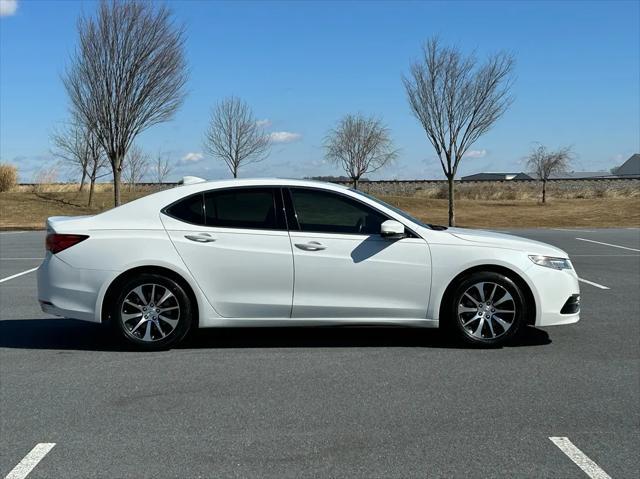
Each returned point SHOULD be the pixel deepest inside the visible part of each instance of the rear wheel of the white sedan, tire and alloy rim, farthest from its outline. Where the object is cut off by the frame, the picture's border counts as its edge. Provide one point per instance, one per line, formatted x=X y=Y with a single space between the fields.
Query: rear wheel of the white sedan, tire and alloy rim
x=152 y=312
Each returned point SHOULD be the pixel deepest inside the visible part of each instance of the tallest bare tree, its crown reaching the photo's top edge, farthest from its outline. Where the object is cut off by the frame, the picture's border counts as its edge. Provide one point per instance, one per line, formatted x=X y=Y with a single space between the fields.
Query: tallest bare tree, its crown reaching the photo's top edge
x=127 y=74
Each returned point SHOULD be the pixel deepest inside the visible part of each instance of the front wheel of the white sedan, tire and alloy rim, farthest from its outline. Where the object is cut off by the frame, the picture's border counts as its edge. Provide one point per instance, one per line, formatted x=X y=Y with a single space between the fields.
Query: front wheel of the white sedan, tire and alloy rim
x=487 y=309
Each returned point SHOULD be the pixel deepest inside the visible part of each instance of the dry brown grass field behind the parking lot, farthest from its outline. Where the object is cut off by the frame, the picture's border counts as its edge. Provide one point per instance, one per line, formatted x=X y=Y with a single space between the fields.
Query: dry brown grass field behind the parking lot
x=28 y=209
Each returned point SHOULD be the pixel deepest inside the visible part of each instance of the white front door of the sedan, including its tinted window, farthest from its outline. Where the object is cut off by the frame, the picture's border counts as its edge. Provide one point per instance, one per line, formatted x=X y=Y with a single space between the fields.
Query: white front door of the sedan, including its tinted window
x=345 y=269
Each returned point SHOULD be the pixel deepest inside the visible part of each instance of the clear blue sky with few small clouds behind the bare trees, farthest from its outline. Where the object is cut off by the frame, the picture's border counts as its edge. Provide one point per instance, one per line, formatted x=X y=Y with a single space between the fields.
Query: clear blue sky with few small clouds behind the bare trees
x=302 y=65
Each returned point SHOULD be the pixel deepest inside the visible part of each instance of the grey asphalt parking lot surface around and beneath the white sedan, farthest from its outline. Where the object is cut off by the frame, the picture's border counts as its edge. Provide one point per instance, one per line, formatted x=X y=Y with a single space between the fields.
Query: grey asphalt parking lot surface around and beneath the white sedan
x=327 y=402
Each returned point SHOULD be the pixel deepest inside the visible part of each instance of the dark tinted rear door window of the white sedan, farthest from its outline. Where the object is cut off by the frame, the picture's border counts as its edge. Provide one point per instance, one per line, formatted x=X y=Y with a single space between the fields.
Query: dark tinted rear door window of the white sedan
x=241 y=208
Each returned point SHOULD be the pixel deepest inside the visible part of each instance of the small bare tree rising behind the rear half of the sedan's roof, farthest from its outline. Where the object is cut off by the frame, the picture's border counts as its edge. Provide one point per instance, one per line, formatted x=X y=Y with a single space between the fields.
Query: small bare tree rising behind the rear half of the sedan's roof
x=235 y=136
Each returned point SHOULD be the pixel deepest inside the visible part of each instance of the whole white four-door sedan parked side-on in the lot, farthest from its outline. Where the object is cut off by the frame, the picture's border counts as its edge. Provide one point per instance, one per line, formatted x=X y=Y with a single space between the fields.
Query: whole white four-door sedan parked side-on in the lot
x=291 y=252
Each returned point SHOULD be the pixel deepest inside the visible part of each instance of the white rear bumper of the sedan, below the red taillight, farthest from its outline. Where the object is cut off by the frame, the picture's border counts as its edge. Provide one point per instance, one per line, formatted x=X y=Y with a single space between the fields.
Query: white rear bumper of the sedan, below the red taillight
x=67 y=291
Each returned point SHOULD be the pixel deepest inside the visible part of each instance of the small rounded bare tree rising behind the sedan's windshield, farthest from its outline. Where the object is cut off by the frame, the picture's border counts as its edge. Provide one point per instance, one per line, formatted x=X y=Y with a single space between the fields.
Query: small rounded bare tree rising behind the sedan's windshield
x=359 y=145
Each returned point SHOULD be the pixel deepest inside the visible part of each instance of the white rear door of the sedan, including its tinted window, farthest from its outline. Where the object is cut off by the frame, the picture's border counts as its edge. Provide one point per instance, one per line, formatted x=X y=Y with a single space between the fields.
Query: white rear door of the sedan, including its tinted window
x=235 y=244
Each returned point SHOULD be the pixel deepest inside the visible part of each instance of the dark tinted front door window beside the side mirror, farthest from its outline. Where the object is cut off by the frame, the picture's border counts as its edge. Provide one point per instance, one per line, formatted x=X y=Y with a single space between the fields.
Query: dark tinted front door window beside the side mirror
x=325 y=212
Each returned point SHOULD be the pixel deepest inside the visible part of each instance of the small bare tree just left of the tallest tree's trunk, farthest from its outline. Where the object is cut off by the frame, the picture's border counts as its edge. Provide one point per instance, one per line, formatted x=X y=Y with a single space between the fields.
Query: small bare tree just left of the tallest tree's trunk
x=80 y=147
